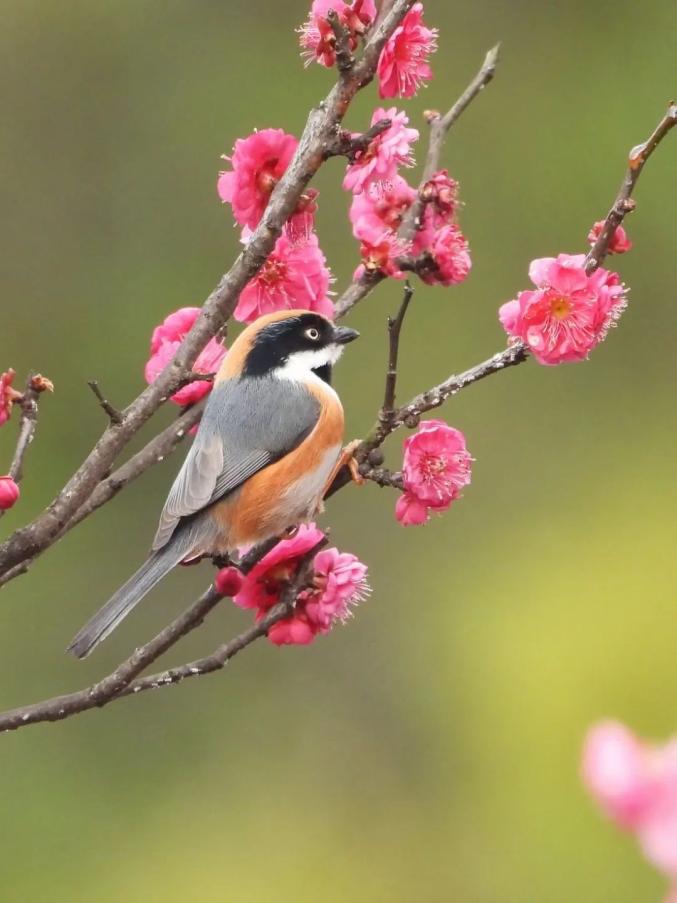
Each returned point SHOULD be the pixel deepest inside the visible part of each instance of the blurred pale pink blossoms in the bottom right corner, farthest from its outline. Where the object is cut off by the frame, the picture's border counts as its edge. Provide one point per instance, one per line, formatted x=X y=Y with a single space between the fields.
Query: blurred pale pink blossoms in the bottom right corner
x=635 y=783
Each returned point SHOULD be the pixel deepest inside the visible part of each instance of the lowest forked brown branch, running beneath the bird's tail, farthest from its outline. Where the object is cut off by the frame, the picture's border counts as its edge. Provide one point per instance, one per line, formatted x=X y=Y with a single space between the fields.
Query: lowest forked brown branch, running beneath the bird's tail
x=121 y=682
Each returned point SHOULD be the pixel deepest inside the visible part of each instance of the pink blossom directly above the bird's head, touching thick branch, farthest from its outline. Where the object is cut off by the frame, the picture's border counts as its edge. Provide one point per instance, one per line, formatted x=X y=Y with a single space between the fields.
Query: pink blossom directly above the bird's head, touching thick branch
x=295 y=275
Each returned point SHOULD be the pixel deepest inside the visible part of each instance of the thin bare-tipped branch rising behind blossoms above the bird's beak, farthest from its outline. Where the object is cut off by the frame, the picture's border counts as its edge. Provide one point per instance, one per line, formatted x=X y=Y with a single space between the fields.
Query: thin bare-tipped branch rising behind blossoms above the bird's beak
x=439 y=127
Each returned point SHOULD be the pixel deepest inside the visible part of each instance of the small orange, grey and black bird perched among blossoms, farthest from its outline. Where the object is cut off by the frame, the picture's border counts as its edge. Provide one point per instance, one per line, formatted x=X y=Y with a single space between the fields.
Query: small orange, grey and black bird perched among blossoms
x=268 y=446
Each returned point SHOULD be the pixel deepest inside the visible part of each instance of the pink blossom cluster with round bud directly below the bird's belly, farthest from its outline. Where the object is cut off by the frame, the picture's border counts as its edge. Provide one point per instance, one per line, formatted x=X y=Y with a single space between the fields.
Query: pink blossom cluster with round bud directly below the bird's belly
x=339 y=581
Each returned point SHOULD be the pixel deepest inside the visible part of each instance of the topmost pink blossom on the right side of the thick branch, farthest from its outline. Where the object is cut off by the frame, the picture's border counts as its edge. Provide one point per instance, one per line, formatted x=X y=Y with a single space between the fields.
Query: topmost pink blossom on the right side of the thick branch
x=403 y=64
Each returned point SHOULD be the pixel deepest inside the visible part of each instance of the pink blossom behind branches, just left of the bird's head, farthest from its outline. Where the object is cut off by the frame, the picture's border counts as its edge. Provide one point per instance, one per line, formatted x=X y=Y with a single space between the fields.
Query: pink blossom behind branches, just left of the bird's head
x=164 y=344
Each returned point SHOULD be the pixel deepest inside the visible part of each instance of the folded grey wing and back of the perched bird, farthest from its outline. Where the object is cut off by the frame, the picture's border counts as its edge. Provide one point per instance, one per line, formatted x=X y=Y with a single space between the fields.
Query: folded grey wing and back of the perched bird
x=247 y=424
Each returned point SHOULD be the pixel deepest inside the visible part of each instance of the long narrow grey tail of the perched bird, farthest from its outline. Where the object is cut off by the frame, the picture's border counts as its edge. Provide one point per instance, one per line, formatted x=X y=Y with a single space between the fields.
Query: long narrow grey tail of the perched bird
x=128 y=596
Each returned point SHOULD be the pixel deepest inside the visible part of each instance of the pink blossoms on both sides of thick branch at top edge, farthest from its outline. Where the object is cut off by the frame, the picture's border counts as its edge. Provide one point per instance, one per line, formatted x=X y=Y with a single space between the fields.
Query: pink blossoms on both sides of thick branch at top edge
x=403 y=65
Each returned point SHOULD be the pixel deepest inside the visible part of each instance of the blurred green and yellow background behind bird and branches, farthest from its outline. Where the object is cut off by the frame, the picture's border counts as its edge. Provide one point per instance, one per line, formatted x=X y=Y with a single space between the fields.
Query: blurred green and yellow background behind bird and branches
x=430 y=749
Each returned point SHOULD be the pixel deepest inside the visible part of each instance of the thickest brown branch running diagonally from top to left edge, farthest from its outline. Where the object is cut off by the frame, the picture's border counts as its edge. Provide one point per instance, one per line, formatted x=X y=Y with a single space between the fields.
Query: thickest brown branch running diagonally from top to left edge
x=318 y=134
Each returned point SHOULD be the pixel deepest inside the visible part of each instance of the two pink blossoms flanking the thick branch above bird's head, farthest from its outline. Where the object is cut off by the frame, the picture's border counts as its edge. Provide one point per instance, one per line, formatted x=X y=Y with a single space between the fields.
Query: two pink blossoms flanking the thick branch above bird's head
x=295 y=274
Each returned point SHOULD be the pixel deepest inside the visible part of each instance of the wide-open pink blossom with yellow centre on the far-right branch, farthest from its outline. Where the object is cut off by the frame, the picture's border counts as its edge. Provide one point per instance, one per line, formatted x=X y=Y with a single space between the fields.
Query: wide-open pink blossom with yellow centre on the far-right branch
x=570 y=312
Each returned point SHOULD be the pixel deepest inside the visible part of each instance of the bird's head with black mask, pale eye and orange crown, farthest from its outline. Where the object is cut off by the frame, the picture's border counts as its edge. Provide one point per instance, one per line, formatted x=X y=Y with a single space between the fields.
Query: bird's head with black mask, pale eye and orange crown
x=296 y=342
